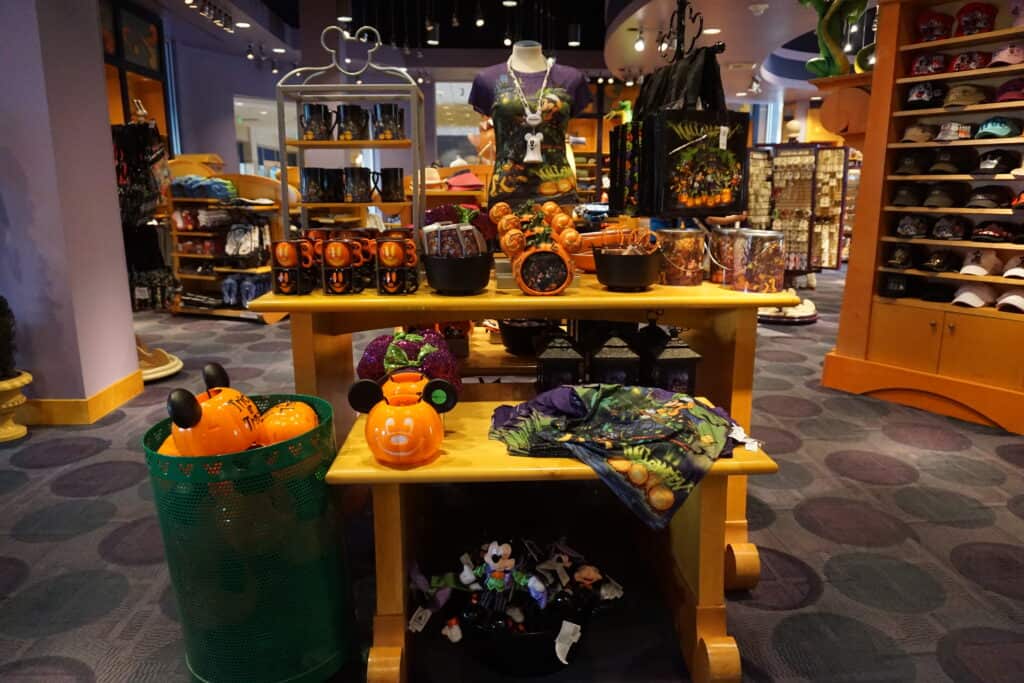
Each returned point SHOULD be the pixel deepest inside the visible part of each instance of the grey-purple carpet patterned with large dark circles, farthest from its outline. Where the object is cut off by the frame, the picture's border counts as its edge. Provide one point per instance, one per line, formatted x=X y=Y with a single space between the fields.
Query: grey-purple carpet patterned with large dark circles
x=892 y=540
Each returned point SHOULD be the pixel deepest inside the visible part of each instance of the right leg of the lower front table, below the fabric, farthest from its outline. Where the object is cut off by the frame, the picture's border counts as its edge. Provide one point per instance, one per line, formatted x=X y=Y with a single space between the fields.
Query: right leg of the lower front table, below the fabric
x=697 y=589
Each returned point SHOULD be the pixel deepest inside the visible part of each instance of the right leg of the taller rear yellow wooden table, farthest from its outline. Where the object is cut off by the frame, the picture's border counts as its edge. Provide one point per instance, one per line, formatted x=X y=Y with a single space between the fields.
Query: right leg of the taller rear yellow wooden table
x=728 y=340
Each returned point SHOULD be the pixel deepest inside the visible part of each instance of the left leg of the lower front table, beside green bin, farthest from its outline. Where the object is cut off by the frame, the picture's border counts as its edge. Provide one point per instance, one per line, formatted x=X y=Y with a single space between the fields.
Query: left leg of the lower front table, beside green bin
x=387 y=663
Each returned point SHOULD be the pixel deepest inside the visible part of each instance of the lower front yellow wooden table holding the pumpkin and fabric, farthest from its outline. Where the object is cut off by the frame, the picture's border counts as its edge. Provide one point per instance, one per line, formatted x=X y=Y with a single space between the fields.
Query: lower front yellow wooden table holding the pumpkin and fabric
x=696 y=537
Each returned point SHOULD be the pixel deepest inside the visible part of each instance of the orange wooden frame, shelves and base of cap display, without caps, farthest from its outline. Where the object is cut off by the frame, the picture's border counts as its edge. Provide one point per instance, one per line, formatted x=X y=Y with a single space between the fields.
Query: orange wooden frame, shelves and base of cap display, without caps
x=913 y=352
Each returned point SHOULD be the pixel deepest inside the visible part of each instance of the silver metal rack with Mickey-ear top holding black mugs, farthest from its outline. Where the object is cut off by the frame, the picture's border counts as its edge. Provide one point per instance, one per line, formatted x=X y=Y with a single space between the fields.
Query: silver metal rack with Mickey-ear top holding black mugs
x=335 y=83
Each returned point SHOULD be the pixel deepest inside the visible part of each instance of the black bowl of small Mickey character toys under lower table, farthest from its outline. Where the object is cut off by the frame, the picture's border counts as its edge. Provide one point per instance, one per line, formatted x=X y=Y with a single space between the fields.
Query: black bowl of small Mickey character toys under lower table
x=502 y=600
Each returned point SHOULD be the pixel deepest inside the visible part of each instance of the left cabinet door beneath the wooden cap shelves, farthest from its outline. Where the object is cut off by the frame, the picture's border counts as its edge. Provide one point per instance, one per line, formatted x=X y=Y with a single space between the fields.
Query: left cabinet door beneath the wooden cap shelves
x=906 y=336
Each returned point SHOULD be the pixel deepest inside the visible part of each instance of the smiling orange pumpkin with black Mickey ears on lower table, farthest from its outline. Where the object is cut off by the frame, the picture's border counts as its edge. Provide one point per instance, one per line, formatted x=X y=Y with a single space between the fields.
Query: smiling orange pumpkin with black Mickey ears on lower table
x=405 y=430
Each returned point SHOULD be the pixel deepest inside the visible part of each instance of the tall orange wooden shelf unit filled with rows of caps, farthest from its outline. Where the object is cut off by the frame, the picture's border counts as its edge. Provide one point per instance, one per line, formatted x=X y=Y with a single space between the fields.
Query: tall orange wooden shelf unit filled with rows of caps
x=902 y=336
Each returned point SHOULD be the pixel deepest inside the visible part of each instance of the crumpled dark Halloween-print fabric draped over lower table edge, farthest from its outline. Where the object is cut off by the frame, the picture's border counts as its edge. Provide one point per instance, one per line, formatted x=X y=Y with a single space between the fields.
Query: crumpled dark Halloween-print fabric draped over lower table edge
x=651 y=447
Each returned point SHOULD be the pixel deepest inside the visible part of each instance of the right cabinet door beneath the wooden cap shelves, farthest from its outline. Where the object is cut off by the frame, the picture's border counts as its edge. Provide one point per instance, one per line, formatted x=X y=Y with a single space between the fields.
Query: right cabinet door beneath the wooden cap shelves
x=983 y=350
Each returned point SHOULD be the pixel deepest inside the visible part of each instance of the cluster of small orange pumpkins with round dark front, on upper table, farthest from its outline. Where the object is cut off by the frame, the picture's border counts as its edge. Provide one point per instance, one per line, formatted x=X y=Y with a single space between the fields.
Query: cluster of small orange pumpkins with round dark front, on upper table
x=539 y=244
